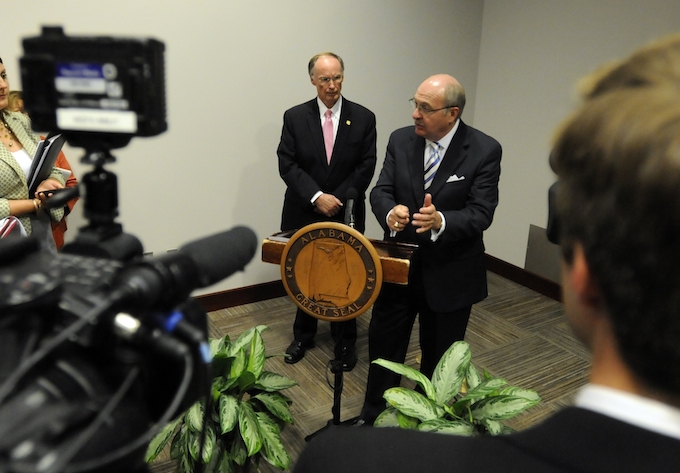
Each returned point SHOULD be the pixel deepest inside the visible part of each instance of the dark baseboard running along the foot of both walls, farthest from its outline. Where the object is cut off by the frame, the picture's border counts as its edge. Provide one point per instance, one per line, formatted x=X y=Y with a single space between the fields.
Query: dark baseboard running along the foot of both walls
x=273 y=289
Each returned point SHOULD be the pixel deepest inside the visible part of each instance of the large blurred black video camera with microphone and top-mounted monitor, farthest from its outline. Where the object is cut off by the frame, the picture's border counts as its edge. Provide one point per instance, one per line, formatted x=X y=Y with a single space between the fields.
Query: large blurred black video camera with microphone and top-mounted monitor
x=100 y=347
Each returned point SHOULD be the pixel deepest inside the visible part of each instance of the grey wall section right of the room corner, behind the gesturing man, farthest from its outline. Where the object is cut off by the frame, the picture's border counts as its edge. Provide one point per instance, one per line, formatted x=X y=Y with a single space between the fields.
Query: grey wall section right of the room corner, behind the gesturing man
x=533 y=52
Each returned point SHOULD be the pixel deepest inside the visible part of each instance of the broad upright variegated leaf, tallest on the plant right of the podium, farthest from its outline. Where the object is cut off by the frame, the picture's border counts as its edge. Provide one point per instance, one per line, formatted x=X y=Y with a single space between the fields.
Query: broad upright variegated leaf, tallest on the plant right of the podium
x=449 y=374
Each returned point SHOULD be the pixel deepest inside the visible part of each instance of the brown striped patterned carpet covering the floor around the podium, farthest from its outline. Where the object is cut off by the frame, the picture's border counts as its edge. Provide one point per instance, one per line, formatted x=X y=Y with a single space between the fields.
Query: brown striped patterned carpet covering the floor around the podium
x=515 y=333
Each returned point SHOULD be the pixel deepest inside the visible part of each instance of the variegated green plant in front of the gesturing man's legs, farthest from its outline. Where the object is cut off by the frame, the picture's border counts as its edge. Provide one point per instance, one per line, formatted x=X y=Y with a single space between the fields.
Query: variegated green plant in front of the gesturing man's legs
x=457 y=400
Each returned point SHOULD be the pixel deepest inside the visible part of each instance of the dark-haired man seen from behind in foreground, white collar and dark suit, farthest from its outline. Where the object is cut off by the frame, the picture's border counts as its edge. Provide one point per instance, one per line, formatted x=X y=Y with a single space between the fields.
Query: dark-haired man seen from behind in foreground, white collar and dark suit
x=617 y=213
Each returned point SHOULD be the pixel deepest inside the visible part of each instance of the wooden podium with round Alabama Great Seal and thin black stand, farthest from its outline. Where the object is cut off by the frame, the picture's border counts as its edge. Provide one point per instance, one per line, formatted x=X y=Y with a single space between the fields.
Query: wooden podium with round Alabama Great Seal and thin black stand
x=333 y=272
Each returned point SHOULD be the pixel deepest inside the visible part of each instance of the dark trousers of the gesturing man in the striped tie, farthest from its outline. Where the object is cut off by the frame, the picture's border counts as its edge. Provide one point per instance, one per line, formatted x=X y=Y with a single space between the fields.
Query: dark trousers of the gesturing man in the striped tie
x=389 y=333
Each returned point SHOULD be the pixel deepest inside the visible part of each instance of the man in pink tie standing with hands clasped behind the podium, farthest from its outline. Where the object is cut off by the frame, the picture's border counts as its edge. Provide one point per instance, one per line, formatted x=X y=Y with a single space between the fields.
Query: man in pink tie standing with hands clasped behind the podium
x=328 y=146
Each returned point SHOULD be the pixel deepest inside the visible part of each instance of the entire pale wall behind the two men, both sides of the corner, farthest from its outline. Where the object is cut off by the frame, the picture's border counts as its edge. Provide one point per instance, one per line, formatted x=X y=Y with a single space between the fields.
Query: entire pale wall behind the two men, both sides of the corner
x=233 y=68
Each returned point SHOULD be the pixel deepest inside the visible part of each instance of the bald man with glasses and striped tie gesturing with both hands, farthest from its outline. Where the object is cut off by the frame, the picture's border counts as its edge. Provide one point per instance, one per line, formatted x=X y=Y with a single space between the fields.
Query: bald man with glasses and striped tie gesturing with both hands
x=438 y=188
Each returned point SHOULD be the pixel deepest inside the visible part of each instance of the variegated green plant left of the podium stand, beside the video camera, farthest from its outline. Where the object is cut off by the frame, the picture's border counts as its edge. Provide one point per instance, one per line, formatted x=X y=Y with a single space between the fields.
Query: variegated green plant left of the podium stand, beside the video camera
x=246 y=417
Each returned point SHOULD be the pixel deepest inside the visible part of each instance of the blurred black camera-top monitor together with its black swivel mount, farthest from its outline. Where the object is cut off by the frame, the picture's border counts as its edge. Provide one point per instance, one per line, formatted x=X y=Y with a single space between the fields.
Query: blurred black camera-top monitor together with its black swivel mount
x=99 y=92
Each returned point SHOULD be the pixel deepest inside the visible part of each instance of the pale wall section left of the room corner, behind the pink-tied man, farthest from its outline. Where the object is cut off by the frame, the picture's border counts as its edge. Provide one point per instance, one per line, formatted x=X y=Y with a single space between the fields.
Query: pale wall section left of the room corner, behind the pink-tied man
x=233 y=68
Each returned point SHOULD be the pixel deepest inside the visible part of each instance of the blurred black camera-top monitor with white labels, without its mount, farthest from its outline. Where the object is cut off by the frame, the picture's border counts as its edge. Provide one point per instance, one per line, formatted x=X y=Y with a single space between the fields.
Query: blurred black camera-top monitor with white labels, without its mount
x=96 y=90
